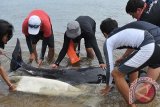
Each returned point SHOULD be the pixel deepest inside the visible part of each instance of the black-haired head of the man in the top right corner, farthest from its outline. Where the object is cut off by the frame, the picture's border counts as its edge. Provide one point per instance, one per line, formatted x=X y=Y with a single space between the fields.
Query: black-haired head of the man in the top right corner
x=135 y=8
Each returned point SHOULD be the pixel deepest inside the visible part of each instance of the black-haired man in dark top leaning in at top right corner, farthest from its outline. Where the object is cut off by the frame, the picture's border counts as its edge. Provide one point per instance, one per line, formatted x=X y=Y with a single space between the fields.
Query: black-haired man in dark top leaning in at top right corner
x=144 y=10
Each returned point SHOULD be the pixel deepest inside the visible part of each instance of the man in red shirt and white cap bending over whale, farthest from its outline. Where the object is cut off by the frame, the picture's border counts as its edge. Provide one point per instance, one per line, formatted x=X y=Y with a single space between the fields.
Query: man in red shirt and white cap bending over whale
x=35 y=27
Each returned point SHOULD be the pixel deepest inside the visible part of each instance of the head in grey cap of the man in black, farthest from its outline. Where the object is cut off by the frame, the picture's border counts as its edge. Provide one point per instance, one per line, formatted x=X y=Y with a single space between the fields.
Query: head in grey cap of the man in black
x=73 y=29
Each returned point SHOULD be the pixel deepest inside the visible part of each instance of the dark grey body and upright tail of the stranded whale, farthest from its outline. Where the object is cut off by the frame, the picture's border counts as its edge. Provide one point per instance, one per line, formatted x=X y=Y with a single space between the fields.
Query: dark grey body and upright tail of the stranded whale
x=73 y=75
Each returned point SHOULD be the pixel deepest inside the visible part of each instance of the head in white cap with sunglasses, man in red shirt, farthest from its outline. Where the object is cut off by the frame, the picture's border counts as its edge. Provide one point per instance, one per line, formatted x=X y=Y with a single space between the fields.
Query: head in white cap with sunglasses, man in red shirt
x=34 y=24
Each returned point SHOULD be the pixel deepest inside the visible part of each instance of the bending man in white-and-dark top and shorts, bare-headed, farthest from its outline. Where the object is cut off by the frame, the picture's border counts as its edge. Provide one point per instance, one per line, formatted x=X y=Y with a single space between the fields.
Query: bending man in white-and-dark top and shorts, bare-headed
x=136 y=36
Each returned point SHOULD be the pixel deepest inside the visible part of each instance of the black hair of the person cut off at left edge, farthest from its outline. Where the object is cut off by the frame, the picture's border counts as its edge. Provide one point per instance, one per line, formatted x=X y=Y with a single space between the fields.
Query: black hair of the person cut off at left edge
x=6 y=28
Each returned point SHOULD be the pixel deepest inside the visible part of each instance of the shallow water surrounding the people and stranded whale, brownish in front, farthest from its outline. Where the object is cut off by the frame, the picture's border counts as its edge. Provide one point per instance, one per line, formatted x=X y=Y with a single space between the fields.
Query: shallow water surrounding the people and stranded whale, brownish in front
x=61 y=12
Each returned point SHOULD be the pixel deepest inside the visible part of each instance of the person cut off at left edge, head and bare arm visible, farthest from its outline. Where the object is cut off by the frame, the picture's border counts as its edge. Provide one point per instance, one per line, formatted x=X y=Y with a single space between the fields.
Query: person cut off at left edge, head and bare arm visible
x=6 y=32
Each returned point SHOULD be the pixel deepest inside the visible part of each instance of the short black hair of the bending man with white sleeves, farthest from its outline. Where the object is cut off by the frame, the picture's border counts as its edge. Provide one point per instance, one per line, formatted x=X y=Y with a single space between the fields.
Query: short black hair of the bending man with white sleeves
x=108 y=25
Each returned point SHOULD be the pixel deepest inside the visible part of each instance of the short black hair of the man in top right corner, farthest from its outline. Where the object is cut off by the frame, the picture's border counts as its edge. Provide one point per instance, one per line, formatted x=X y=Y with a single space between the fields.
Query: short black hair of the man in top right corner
x=133 y=5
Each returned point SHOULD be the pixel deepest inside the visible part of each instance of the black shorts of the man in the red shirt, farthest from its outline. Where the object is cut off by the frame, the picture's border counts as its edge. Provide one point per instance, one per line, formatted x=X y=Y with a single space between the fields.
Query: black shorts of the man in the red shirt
x=49 y=40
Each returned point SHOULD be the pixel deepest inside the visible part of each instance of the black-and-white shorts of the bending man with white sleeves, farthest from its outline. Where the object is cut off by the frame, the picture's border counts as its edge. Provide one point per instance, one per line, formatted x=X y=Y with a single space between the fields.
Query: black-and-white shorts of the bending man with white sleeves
x=136 y=62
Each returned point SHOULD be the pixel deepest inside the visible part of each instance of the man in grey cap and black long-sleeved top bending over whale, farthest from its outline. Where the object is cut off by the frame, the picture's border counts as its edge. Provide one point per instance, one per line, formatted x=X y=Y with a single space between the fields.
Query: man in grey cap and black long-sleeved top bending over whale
x=82 y=27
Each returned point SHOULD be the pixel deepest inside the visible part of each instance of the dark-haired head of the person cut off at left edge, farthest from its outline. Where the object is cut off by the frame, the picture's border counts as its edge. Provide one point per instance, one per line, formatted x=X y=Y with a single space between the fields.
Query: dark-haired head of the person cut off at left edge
x=6 y=31
